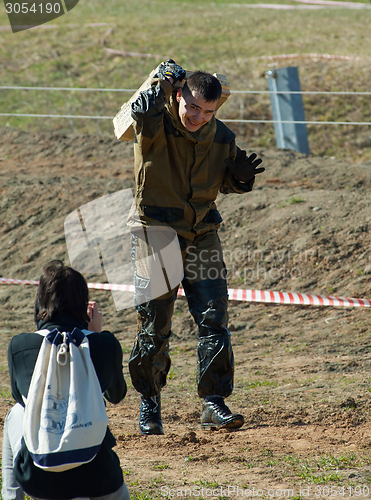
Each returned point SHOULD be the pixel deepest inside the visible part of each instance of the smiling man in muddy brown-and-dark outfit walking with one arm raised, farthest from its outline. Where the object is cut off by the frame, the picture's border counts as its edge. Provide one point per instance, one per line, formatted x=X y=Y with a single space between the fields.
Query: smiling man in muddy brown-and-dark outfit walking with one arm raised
x=183 y=157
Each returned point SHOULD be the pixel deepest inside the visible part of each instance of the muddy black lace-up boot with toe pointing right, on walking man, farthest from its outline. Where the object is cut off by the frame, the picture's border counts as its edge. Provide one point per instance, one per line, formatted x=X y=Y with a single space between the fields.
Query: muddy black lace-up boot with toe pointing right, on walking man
x=217 y=415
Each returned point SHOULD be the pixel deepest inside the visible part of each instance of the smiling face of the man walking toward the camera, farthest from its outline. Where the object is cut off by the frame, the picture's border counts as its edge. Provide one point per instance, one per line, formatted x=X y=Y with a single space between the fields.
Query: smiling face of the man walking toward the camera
x=194 y=111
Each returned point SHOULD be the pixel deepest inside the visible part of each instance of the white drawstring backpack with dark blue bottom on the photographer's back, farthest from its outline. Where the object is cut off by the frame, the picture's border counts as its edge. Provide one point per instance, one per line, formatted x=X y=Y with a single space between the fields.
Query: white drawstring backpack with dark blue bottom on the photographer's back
x=65 y=418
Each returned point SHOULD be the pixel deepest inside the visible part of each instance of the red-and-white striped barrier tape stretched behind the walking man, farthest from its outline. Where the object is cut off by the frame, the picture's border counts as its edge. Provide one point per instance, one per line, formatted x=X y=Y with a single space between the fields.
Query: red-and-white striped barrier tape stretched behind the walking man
x=262 y=296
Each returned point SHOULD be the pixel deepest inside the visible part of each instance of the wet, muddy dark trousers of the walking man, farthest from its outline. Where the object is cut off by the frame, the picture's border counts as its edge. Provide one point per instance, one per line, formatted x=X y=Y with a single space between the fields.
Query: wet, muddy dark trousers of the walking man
x=205 y=287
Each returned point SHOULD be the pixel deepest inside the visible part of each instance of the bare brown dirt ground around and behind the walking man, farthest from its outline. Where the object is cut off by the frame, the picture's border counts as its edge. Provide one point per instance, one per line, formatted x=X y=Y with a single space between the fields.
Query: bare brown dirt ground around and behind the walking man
x=303 y=373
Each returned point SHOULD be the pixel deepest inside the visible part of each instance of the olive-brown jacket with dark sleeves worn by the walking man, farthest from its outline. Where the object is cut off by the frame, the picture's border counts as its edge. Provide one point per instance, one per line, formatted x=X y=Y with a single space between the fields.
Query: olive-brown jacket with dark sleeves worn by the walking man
x=178 y=174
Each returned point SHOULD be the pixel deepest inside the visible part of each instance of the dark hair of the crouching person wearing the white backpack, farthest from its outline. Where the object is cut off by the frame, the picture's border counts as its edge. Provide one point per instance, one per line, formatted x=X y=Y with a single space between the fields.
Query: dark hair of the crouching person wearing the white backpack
x=61 y=291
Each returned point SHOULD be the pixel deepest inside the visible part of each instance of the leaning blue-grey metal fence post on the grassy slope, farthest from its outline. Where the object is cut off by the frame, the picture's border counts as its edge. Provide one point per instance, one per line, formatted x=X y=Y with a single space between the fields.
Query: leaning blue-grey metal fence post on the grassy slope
x=288 y=108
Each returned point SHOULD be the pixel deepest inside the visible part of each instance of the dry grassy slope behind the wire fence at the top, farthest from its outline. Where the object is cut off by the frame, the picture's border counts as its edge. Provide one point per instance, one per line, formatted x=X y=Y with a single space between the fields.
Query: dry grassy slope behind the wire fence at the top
x=216 y=36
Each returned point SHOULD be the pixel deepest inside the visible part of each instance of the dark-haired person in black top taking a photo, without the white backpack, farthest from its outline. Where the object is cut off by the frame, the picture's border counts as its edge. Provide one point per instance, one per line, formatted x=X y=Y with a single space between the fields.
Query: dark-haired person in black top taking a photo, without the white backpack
x=62 y=302
